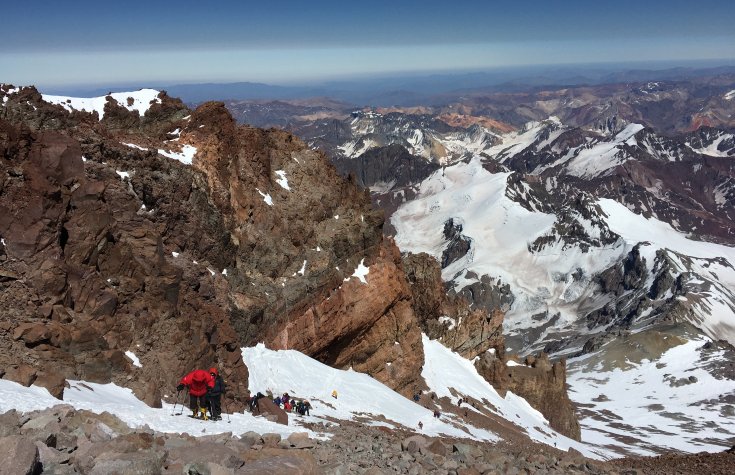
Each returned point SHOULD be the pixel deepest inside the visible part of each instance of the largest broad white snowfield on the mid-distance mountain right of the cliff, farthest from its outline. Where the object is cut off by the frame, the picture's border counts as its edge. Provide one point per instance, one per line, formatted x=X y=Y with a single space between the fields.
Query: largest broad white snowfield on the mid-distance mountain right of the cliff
x=502 y=231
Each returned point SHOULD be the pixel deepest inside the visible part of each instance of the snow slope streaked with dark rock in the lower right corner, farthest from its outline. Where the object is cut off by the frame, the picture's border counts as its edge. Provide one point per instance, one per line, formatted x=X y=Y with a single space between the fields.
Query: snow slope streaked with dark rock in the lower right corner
x=654 y=403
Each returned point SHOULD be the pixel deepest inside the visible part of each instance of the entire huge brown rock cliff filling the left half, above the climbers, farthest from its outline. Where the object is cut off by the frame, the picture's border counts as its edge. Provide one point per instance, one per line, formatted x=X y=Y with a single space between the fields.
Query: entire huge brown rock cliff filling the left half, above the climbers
x=181 y=265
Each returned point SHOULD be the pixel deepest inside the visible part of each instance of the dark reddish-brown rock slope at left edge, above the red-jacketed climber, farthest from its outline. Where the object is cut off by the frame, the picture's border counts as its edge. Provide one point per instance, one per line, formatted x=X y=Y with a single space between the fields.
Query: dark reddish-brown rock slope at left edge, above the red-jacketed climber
x=96 y=279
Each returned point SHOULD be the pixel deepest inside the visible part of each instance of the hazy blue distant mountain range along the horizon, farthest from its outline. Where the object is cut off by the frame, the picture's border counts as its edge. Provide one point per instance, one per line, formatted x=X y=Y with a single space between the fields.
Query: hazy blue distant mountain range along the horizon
x=423 y=89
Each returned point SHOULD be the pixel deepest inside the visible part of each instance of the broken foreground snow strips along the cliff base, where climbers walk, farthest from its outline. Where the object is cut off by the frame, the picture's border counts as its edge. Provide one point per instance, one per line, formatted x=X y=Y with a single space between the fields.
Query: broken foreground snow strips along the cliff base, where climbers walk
x=360 y=398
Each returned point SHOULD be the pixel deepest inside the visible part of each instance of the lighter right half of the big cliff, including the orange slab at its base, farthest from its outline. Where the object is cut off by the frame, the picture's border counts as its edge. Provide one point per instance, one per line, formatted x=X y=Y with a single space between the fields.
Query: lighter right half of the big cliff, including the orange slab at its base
x=298 y=237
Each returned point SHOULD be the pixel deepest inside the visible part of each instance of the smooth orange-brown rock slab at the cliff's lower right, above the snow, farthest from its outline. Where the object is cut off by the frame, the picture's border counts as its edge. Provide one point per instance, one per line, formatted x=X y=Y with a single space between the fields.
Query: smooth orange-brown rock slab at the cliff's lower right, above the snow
x=368 y=326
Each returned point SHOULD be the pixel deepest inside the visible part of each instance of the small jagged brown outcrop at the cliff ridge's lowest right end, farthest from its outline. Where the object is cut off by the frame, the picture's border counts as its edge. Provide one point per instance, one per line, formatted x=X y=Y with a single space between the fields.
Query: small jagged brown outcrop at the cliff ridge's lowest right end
x=539 y=382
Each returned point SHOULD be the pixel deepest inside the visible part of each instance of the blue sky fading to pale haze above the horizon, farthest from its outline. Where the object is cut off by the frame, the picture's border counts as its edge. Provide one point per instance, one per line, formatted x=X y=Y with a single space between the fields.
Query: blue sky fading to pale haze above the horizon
x=94 y=42
